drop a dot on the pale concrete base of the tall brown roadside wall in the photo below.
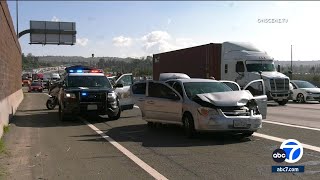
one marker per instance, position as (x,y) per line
(8,107)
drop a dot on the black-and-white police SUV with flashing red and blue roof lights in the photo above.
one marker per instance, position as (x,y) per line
(84,89)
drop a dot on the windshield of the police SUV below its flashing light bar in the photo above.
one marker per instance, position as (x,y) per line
(88,81)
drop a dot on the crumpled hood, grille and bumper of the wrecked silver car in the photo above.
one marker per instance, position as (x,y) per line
(228,111)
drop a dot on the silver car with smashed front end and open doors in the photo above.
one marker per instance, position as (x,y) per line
(202,104)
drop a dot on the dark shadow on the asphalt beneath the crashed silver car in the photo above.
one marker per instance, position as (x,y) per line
(166,136)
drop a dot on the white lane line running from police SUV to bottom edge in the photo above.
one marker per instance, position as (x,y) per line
(126,152)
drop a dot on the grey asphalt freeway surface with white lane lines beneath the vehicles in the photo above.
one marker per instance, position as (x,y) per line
(39,146)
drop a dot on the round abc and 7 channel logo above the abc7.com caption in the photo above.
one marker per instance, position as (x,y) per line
(290,151)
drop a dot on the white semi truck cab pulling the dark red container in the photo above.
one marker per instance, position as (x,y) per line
(242,63)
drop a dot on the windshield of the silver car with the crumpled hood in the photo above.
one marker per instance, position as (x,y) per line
(194,88)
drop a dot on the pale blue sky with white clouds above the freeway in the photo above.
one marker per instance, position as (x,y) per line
(134,29)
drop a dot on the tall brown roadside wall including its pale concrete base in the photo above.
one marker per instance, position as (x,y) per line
(10,67)
